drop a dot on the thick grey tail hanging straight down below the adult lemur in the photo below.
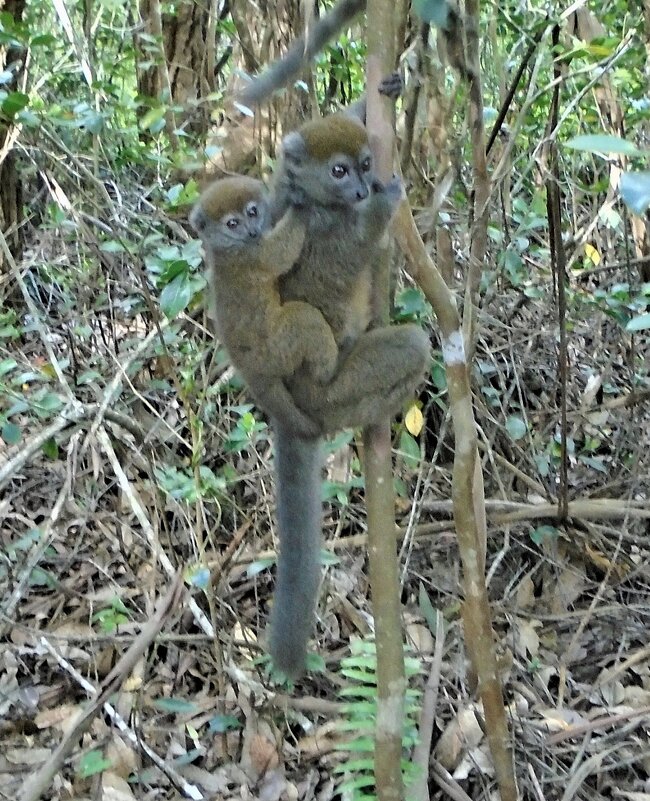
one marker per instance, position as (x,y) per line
(299,514)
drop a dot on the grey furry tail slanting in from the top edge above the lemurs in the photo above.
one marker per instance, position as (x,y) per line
(286,69)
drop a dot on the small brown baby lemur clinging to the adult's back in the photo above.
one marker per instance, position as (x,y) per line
(267,340)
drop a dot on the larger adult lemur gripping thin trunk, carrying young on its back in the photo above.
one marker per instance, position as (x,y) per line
(325,175)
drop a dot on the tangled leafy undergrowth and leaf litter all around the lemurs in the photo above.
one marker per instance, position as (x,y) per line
(130,450)
